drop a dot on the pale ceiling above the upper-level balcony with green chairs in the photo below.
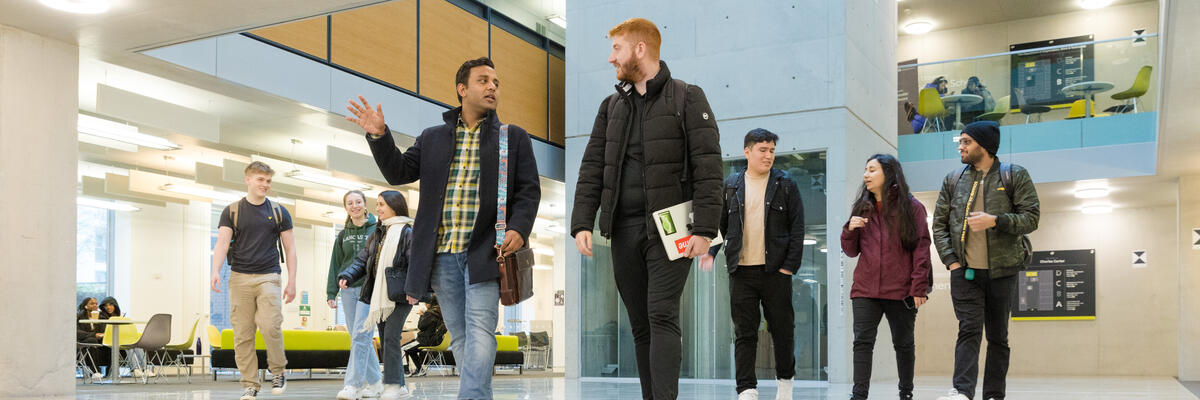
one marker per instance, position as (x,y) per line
(959,14)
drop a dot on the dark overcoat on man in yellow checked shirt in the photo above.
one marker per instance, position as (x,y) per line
(429,160)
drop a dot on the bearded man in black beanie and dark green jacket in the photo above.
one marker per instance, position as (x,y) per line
(983,214)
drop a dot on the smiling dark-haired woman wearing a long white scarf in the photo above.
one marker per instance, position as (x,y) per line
(383,264)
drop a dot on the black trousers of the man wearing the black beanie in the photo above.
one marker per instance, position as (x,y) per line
(982,306)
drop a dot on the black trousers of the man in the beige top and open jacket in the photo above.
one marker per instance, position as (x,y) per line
(751,288)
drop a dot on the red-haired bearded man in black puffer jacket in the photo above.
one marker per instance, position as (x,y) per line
(653,146)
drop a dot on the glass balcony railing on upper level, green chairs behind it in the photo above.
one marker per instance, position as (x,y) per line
(1033,86)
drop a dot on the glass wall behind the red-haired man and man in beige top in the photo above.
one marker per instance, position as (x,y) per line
(608,343)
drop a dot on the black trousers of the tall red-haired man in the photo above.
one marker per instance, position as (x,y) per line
(651,286)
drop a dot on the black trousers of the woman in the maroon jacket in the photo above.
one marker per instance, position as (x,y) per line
(868,314)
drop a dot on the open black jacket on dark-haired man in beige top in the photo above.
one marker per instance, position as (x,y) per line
(784,222)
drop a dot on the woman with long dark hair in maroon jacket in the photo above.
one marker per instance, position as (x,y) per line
(891,240)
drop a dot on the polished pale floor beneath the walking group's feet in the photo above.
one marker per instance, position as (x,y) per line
(536,387)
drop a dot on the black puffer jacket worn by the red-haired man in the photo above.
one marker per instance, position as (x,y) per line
(663,140)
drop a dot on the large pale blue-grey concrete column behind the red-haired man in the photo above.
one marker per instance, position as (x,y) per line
(821,75)
